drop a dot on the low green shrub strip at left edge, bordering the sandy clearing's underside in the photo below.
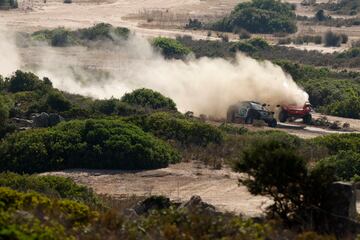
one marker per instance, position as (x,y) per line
(52,186)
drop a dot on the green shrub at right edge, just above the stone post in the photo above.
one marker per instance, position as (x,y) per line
(346,164)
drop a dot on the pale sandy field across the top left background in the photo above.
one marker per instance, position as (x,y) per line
(86,13)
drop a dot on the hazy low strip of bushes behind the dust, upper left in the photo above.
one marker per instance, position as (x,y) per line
(61,37)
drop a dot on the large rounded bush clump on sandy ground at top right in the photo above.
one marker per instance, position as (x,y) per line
(260,16)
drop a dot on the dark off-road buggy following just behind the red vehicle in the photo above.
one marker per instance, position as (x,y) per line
(248,111)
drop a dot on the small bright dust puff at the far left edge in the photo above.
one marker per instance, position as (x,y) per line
(9,57)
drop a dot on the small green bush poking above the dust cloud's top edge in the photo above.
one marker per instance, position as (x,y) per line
(171,48)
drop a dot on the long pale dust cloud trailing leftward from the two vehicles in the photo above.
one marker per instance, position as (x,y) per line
(204,85)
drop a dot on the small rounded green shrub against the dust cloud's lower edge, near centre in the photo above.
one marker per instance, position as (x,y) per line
(148,98)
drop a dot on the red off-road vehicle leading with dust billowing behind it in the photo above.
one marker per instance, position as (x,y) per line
(296,112)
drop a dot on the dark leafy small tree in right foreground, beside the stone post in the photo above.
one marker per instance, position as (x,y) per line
(274,169)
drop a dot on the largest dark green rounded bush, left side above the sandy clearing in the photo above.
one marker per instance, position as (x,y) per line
(84,144)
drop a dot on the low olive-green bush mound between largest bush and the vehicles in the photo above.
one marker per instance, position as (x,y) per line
(185,131)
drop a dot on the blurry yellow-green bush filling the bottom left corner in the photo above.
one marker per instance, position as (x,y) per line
(34,216)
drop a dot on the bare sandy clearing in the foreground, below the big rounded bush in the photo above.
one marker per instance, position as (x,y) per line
(179,182)
